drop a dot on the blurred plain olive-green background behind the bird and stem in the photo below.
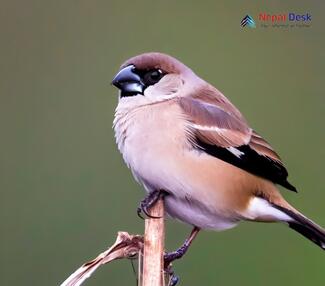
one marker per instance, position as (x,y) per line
(65,190)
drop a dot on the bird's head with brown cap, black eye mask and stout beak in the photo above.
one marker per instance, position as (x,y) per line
(153,75)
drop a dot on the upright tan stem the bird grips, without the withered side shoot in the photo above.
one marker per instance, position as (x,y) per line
(154,244)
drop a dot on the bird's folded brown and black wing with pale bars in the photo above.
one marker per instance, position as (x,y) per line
(218,128)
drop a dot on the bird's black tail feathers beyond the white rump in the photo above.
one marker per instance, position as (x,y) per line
(305,226)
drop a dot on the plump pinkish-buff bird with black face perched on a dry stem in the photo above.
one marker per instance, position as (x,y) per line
(183,139)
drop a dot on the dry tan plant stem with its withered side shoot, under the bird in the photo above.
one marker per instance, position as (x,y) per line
(128,246)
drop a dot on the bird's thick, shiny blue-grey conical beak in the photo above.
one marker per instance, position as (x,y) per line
(128,81)
